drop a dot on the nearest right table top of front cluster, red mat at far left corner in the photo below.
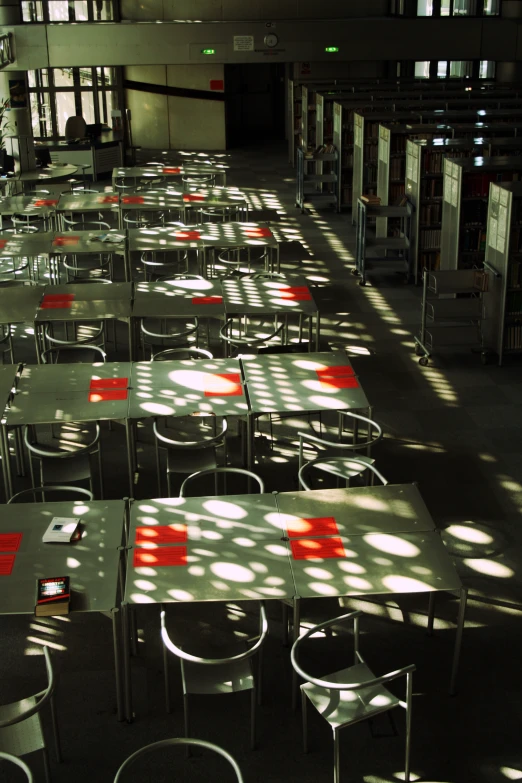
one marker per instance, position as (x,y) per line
(372,564)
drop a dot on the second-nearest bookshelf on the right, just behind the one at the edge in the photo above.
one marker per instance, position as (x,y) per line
(465,206)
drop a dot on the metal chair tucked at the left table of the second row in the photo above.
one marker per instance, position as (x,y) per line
(58,466)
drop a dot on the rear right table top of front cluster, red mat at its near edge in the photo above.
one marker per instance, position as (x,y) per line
(394,508)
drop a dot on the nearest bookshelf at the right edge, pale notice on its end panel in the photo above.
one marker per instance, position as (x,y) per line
(503,257)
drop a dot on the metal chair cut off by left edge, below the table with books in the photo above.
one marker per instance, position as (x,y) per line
(20,724)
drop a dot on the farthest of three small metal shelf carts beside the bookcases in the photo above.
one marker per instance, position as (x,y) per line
(316,187)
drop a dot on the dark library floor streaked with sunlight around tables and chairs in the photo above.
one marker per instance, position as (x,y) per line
(454,427)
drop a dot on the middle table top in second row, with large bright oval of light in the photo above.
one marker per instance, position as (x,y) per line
(183,388)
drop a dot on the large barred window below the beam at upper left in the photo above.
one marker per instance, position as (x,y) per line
(58,93)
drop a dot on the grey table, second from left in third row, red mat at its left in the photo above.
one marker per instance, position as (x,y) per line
(81,302)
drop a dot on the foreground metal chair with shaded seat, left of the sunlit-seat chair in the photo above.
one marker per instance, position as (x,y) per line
(229,674)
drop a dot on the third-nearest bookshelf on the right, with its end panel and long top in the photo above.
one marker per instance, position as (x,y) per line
(424,181)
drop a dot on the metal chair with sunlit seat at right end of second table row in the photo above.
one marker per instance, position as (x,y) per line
(332,459)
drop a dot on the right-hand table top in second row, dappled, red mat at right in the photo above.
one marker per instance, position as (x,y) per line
(302,382)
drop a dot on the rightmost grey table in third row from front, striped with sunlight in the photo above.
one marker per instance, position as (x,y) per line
(280,296)
